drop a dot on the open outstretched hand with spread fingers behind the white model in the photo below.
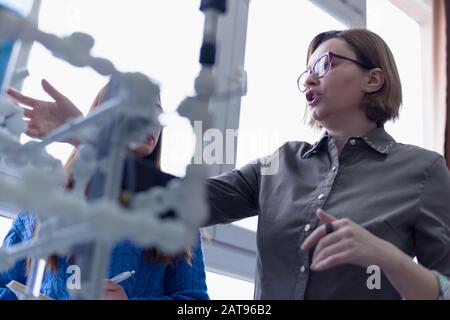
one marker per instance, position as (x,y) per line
(46,116)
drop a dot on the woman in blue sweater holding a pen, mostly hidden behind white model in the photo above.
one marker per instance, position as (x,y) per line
(157,276)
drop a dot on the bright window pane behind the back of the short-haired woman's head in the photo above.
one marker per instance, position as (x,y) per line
(382,15)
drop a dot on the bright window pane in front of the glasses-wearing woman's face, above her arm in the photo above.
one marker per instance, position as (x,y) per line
(272,112)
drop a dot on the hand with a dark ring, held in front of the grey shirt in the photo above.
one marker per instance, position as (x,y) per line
(348,243)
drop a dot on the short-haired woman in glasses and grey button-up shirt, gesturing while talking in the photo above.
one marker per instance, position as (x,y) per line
(344,217)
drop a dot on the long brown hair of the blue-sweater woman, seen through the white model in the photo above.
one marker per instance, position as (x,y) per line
(149,254)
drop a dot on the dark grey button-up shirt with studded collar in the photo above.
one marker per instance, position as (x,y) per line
(400,193)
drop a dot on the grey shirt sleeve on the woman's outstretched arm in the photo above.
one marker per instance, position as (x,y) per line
(234,196)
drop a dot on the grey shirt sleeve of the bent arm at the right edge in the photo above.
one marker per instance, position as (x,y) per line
(432,225)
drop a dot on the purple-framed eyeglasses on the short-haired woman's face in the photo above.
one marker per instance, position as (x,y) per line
(321,68)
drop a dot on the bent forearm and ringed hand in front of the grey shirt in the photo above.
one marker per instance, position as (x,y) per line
(350,243)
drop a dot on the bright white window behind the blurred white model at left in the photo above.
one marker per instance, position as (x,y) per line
(159,38)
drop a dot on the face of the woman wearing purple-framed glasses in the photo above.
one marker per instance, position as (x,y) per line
(340,92)
